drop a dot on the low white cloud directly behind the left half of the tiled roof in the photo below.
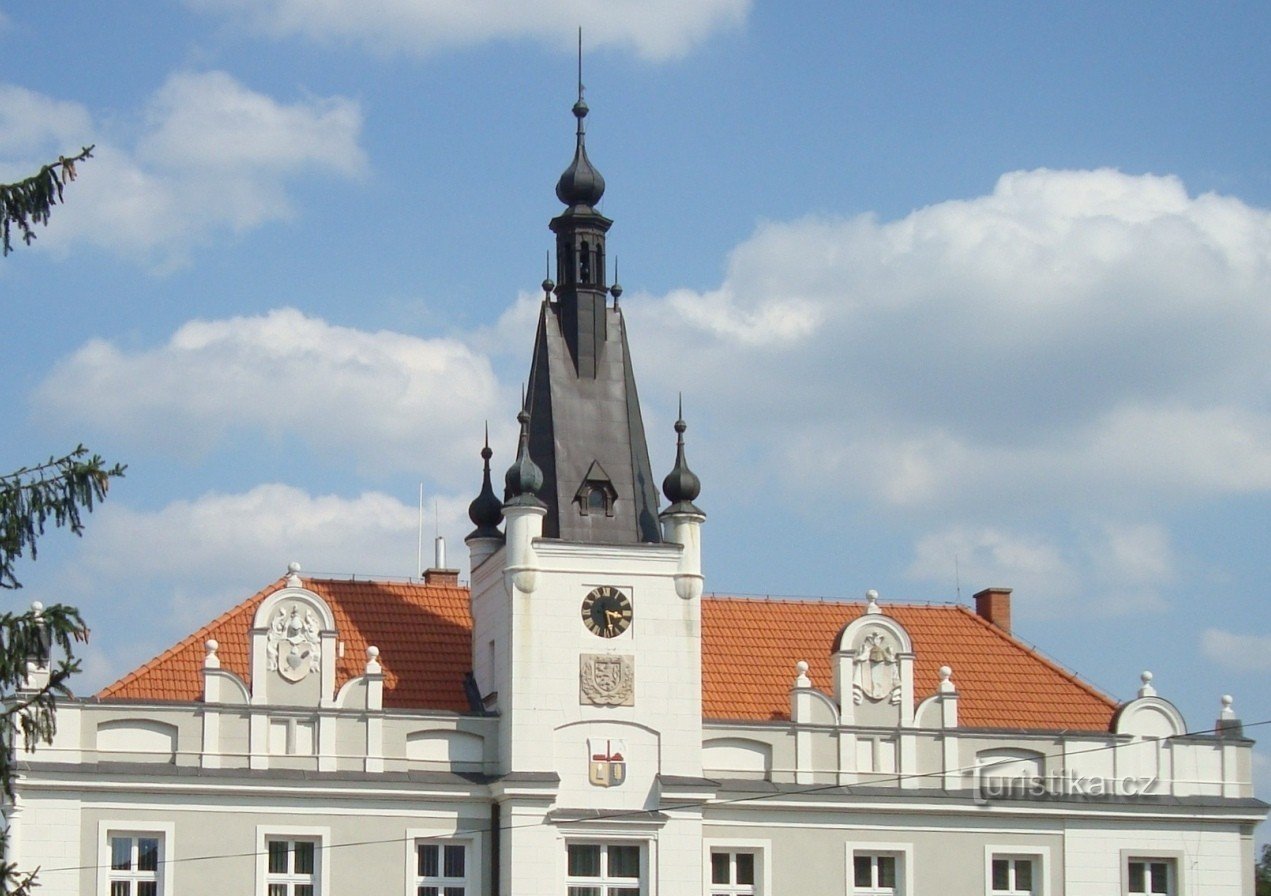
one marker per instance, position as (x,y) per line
(186,564)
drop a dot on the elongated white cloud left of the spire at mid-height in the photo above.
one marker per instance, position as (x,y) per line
(391,402)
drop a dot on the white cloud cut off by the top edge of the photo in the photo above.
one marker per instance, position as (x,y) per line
(658,30)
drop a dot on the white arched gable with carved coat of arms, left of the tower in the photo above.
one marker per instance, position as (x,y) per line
(294,648)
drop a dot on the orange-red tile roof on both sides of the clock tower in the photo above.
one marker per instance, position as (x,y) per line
(749,650)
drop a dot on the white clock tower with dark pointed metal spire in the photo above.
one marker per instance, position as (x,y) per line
(587,607)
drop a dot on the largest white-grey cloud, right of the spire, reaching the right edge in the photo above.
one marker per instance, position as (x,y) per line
(1089,340)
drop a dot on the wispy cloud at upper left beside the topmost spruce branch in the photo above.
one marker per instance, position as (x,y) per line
(210,156)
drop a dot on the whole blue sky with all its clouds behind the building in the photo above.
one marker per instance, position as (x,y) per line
(958,295)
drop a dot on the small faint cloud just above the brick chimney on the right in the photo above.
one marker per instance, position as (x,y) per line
(1103,570)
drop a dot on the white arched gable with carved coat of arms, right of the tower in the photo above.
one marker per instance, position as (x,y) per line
(874,662)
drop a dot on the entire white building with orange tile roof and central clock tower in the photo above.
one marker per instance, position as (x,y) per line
(583,720)
